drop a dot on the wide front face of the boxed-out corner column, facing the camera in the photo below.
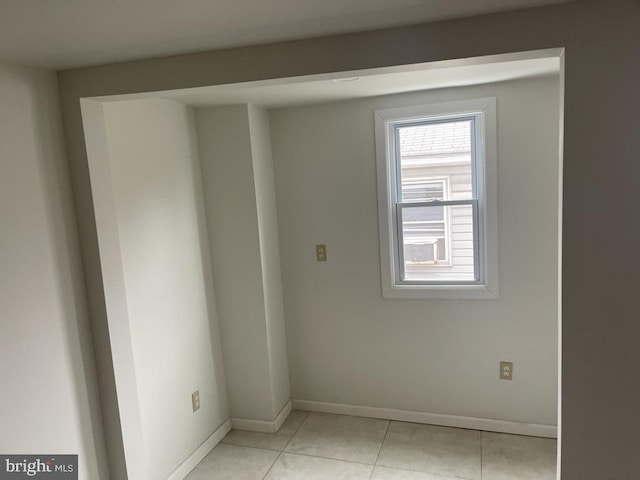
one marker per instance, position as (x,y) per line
(227,173)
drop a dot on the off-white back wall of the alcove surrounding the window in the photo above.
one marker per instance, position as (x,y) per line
(349,345)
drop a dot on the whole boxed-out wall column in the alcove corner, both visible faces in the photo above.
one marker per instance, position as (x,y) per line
(240,202)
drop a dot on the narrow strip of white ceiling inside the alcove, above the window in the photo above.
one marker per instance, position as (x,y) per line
(322,88)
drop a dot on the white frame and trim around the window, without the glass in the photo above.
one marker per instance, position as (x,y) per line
(483,110)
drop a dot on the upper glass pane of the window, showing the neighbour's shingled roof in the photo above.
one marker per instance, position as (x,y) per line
(435,161)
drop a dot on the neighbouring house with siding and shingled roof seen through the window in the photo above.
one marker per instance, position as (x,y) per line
(434,167)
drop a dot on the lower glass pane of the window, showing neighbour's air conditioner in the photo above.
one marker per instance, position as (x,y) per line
(438,243)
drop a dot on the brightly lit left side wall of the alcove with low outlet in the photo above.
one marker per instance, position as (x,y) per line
(157,195)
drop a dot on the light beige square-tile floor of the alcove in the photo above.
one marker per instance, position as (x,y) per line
(319,446)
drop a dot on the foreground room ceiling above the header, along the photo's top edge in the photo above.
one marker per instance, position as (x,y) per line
(62,34)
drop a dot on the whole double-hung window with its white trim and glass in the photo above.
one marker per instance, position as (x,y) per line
(438,200)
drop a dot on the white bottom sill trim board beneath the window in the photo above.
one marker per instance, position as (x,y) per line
(425,292)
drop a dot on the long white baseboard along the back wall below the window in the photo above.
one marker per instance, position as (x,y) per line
(473,423)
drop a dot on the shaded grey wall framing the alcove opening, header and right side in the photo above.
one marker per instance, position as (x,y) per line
(600,335)
